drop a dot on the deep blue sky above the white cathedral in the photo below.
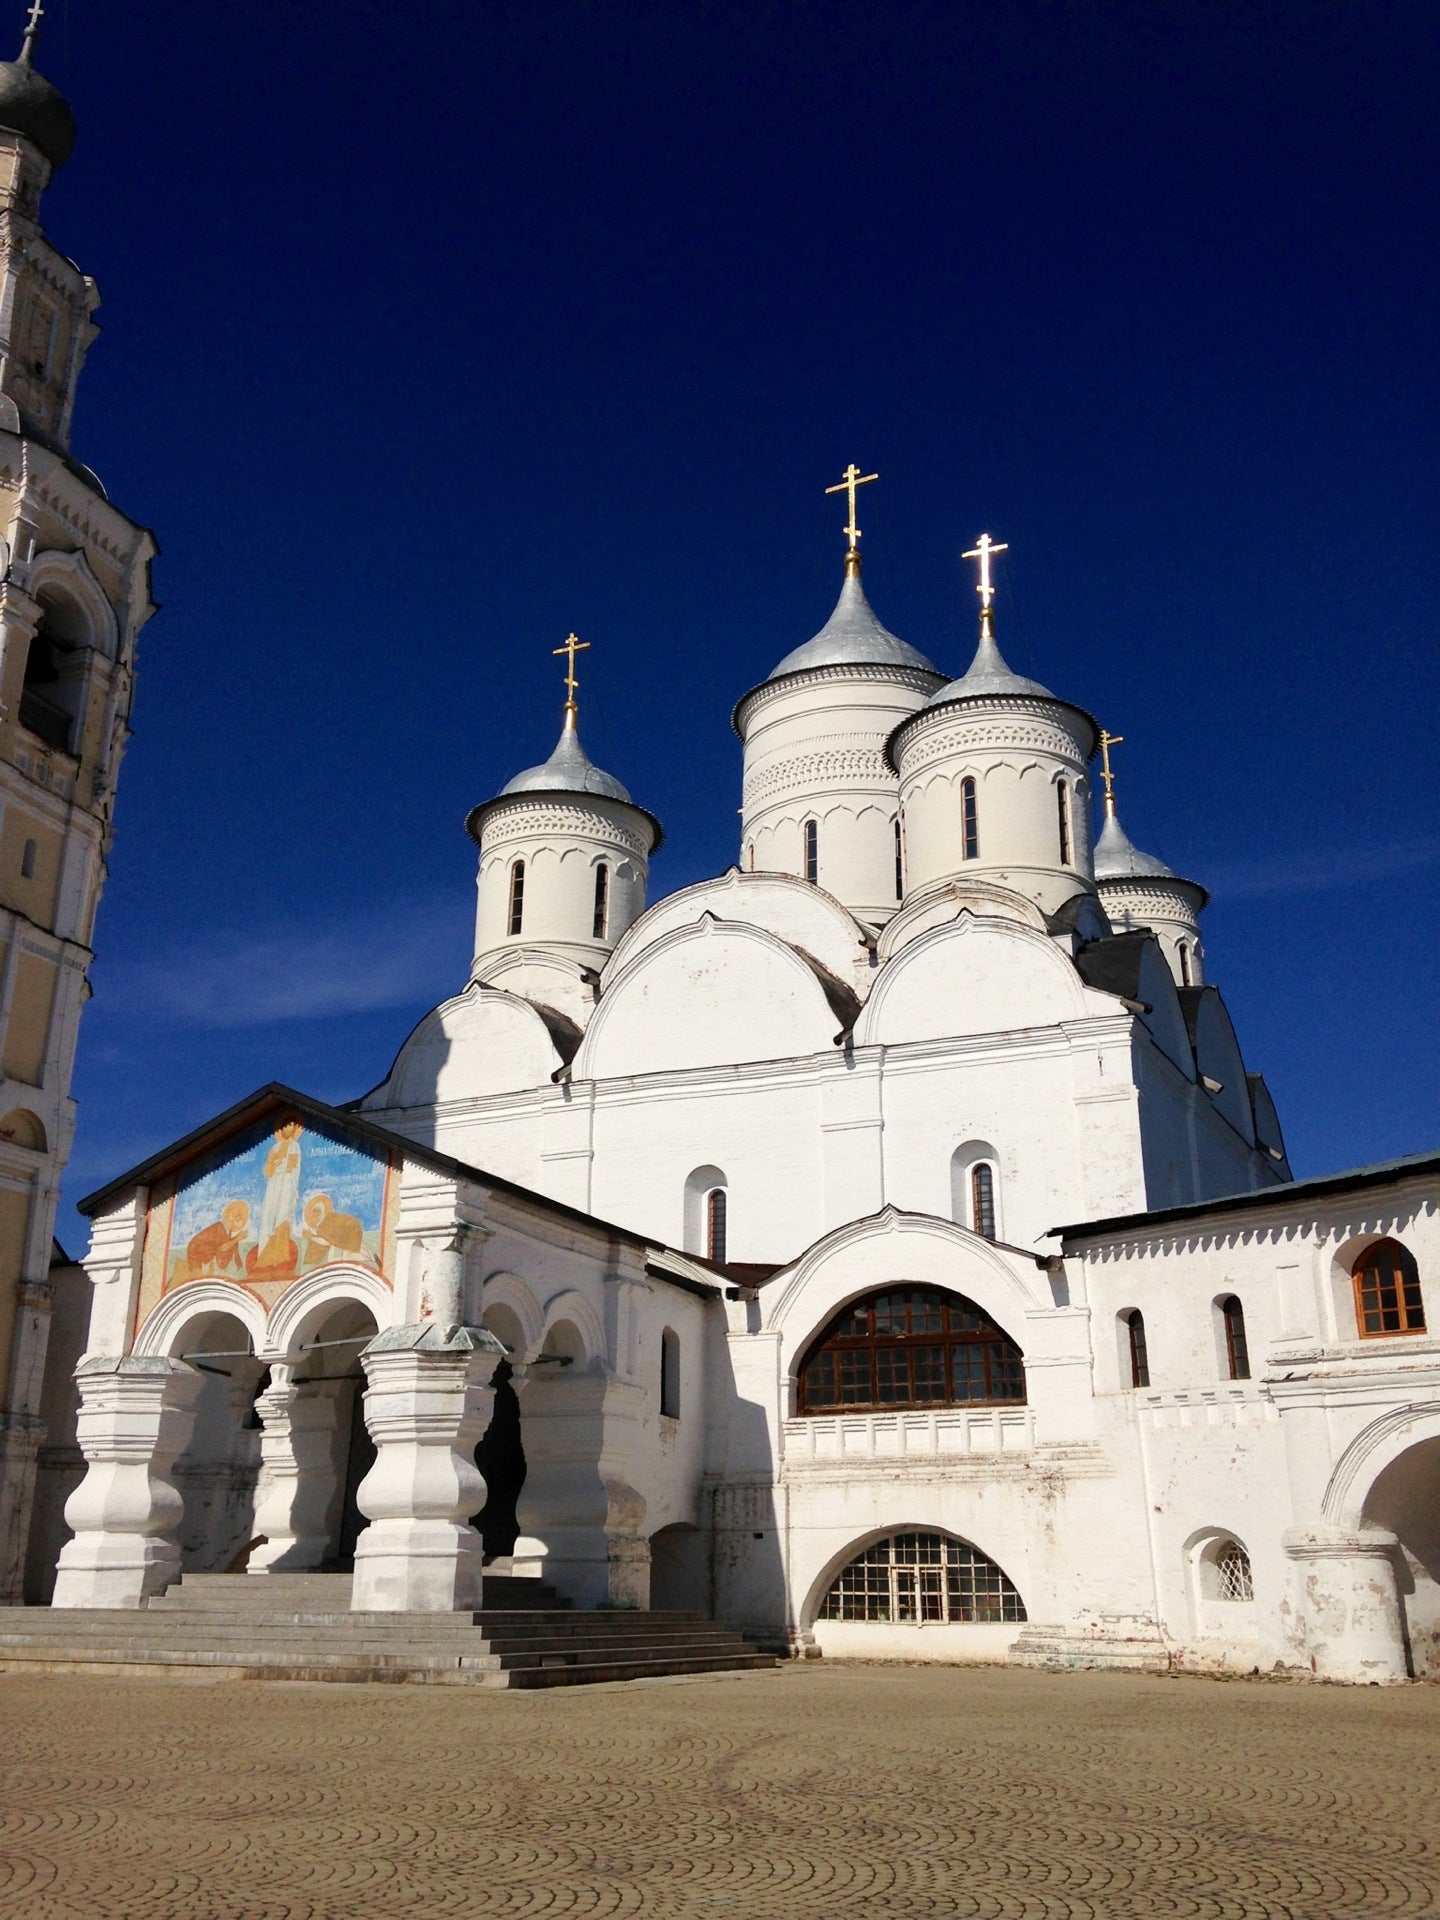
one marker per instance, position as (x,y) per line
(437,331)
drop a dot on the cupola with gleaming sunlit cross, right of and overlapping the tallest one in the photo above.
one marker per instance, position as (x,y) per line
(994,777)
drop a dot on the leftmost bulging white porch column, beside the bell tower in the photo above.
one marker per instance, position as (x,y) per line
(135,1420)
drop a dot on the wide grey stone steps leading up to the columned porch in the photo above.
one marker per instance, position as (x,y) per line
(299,1627)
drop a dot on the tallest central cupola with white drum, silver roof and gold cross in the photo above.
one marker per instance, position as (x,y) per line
(821,800)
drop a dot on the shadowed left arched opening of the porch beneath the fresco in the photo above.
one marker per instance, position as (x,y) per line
(218,1472)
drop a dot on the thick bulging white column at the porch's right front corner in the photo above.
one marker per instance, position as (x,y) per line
(427,1404)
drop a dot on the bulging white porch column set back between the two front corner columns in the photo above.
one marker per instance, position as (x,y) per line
(295,1499)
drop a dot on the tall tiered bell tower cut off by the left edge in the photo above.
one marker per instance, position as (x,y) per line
(74,596)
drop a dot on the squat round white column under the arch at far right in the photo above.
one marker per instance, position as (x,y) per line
(1347,1608)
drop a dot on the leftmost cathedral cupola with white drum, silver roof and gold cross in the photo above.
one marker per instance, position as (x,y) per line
(564,855)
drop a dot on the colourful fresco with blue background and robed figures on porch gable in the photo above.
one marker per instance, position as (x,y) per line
(270,1209)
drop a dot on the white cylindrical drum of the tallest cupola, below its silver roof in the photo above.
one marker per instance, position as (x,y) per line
(815,754)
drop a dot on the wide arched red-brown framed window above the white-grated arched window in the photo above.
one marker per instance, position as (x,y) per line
(1001,1360)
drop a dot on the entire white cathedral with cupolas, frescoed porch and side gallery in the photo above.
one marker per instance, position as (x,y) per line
(882,1247)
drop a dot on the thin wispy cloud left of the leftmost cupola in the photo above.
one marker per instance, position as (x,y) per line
(398,955)
